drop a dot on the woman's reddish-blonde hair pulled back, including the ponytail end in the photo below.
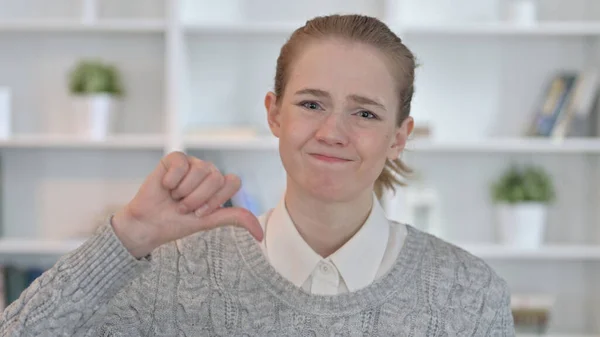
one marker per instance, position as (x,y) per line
(373,32)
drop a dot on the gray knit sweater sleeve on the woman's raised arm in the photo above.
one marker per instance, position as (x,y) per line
(71,298)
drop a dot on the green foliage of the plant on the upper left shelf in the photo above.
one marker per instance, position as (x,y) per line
(95,77)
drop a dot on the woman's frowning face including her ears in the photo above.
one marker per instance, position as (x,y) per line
(336,120)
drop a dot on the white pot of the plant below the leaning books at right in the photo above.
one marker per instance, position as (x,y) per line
(521,225)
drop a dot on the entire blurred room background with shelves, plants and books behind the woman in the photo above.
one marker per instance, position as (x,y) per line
(506,156)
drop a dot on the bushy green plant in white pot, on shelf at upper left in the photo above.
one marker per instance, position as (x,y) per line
(95,87)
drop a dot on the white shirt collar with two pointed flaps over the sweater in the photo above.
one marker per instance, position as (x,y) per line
(357,261)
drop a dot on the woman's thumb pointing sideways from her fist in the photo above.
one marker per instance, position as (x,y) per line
(234,216)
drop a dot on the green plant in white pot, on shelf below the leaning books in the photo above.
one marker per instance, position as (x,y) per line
(522,197)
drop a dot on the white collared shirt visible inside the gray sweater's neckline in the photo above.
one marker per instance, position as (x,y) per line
(368,255)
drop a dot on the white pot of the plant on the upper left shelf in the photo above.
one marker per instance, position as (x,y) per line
(94,115)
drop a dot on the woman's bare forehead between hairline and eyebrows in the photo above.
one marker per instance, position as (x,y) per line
(343,68)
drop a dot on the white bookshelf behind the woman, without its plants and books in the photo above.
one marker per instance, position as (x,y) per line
(478,84)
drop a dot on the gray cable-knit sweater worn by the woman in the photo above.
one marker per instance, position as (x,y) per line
(219,283)
